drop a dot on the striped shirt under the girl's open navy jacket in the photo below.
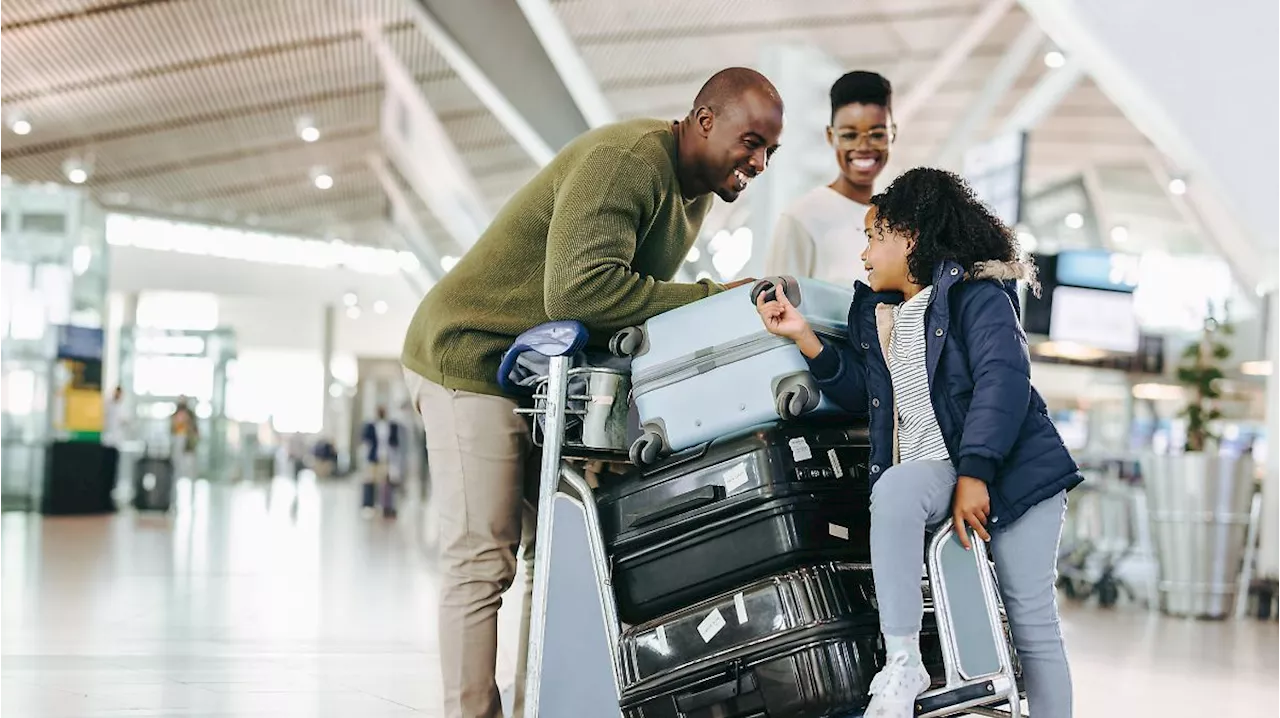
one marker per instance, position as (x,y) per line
(918,435)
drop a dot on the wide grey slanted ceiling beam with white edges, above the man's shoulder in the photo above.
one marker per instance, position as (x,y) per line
(541,99)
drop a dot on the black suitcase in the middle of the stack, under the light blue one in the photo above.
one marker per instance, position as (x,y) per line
(734,511)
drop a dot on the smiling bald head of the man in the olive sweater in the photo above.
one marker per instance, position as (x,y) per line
(732,134)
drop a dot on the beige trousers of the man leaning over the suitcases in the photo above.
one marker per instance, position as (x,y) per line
(481,458)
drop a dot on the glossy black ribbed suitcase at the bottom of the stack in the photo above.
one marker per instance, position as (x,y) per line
(803,643)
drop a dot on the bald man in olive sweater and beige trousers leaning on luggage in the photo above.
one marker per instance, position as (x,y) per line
(596,236)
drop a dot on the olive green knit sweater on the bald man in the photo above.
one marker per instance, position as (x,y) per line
(596,237)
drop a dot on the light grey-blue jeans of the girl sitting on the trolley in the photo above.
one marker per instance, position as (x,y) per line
(913,496)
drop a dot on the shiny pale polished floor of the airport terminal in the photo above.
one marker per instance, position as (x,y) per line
(278,600)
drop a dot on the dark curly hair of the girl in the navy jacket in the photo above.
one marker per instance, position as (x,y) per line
(949,222)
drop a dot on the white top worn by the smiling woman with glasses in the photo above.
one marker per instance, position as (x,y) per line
(821,236)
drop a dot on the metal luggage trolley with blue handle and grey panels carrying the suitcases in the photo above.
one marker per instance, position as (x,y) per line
(574,664)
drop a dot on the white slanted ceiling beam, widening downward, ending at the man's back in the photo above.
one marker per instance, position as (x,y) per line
(423,152)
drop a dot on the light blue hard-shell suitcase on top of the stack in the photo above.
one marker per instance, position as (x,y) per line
(711,369)
